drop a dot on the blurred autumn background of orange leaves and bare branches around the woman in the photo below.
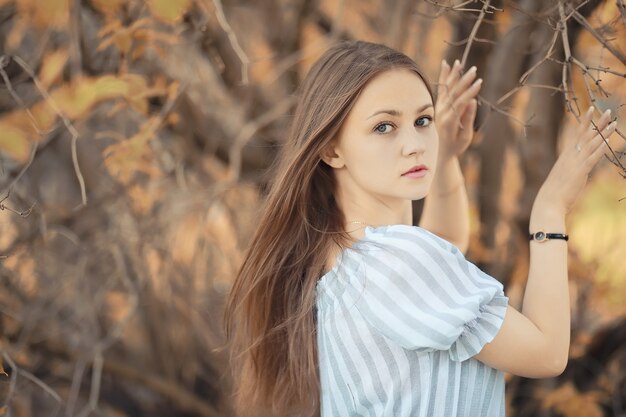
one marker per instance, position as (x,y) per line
(135,141)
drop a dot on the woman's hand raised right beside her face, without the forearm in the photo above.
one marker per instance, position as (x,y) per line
(455,109)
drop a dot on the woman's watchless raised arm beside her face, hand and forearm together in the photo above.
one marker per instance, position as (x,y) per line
(445,208)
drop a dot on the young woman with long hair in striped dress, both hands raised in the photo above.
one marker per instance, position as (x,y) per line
(341,306)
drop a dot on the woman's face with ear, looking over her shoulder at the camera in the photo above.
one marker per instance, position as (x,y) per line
(389,131)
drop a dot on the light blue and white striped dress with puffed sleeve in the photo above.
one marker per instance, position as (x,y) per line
(399,318)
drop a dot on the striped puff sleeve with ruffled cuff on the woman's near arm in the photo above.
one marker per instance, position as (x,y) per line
(419,291)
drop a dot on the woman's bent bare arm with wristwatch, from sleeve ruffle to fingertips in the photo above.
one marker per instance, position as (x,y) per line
(535,343)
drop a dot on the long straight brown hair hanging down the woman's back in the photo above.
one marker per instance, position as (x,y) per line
(270,316)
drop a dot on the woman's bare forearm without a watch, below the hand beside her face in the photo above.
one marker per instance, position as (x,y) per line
(446,210)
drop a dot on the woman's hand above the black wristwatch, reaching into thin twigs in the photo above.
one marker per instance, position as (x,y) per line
(568,176)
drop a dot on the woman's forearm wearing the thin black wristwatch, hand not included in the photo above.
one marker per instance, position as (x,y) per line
(546,299)
